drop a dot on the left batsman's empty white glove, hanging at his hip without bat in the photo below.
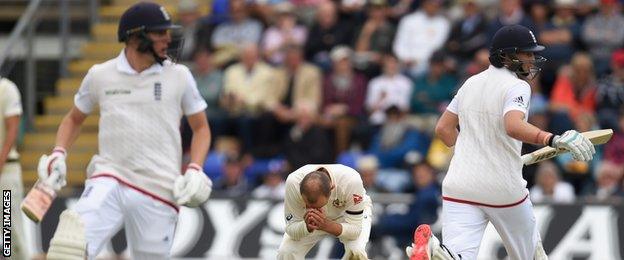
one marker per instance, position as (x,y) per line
(193,188)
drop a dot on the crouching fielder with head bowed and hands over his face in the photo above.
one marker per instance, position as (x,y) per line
(323,200)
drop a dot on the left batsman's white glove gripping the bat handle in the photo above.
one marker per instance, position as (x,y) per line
(52,169)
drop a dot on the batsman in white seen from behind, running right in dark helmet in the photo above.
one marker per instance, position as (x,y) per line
(484,181)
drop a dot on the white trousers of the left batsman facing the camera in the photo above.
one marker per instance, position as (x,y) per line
(106,205)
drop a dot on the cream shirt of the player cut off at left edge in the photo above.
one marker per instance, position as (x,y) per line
(10,105)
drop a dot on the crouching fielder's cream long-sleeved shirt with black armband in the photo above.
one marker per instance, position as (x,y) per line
(347,200)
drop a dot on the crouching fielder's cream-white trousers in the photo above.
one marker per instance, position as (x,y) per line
(296,250)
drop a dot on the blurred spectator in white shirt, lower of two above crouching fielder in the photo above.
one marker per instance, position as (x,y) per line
(389,89)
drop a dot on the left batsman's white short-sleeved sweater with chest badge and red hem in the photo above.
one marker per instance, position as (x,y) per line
(139,128)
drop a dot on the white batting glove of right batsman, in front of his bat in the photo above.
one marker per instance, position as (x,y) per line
(581,148)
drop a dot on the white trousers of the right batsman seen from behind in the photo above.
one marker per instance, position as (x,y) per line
(463,226)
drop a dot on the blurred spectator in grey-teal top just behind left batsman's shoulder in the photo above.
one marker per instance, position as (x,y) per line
(210,85)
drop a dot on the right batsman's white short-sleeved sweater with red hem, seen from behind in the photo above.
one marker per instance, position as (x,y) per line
(486,167)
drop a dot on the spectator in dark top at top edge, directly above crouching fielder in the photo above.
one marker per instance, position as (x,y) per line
(326,32)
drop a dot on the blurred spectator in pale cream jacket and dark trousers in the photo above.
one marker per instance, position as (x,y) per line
(248,93)
